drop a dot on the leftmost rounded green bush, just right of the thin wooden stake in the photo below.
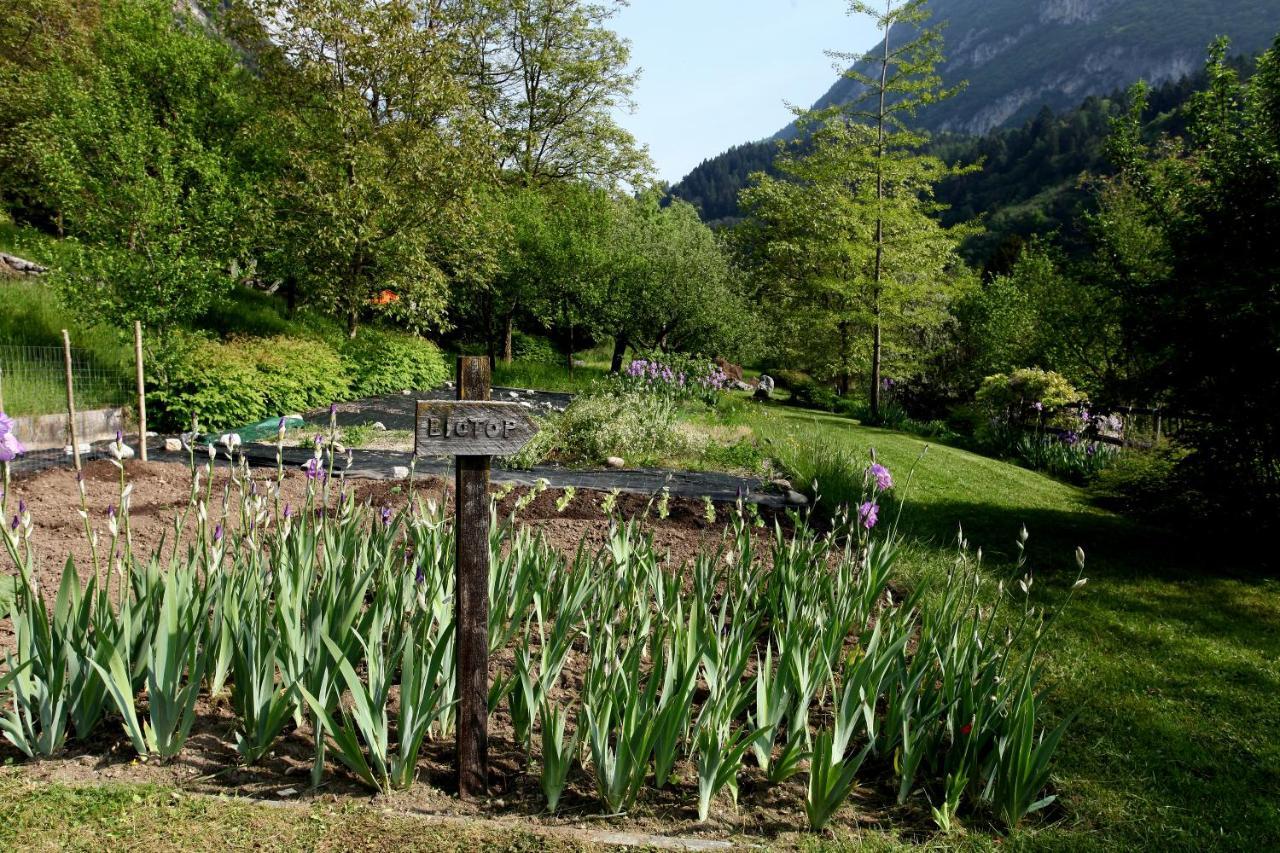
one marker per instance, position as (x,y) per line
(191,376)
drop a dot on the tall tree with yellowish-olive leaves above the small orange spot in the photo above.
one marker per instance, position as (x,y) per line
(382,152)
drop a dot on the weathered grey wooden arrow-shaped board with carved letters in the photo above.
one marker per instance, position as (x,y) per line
(472,428)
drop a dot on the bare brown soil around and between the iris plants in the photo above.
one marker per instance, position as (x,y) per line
(209,763)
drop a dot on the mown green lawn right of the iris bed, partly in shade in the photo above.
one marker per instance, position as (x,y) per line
(1171,656)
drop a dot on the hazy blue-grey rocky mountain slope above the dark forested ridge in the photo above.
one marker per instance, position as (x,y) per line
(1020,56)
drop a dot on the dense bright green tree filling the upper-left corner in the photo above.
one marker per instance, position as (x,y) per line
(127,129)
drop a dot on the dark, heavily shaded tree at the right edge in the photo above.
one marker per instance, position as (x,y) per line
(1191,235)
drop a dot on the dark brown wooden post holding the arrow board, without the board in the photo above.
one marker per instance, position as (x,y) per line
(472,597)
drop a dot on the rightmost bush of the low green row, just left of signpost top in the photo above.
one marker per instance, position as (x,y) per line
(382,362)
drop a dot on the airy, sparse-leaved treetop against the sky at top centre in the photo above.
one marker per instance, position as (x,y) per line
(551,76)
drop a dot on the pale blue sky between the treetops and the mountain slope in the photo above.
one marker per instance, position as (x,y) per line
(716,74)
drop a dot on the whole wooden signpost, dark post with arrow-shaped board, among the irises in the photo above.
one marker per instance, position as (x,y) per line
(472,430)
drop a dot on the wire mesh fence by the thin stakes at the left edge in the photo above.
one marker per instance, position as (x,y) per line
(34,393)
